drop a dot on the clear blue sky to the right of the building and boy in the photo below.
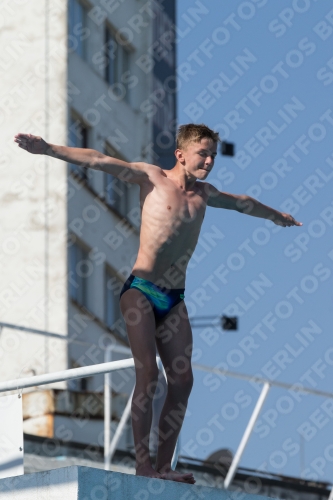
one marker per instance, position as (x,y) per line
(261,73)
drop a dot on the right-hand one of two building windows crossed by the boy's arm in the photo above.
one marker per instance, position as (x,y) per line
(116,190)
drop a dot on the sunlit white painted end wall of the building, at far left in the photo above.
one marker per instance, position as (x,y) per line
(23,262)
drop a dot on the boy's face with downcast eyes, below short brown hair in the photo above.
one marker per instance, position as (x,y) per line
(198,157)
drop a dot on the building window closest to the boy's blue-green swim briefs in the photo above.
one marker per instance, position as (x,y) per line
(113,286)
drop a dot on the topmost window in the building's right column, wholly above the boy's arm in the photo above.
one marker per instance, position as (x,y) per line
(117,64)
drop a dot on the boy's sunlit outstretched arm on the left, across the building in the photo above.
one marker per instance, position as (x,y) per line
(130,172)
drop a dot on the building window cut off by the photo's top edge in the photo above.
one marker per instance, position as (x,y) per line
(77,28)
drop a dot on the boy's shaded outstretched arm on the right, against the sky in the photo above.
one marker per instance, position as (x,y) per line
(247,205)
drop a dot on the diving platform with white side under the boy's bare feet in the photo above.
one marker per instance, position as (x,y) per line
(83,483)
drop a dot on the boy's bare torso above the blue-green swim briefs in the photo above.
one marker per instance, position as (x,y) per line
(170,227)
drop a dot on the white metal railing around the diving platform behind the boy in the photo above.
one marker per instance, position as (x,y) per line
(110,366)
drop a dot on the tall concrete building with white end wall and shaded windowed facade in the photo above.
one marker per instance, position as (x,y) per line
(86,74)
